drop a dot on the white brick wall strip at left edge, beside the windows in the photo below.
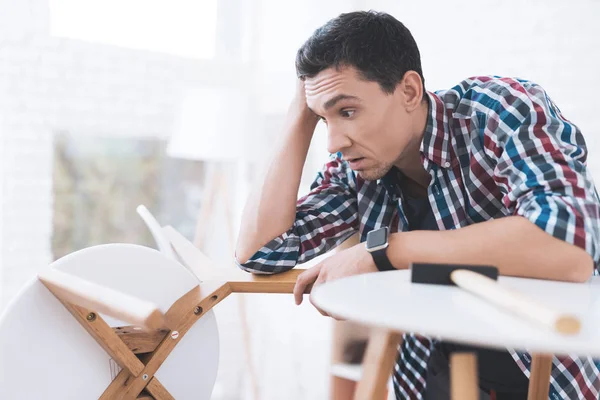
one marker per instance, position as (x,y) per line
(26,185)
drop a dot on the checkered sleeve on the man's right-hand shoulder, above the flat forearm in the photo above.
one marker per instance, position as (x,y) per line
(542,168)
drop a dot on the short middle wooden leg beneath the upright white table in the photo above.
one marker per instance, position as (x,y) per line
(464,382)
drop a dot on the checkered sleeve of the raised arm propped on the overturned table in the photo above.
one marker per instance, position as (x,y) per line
(325,217)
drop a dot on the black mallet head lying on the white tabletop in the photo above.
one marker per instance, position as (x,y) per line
(439,274)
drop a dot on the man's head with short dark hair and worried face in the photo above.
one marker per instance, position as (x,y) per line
(362,74)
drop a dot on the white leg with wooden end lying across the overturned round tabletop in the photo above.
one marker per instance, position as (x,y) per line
(102,299)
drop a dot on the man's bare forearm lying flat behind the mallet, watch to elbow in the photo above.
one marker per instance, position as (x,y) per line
(513,244)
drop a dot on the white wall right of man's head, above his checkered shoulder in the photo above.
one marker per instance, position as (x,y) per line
(551,42)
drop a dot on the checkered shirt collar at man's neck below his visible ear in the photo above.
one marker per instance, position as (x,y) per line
(436,139)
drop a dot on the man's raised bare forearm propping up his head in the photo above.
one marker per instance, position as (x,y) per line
(271,207)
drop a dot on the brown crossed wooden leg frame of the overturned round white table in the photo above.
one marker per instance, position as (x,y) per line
(141,348)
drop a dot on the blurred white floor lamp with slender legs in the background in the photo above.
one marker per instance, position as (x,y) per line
(209,127)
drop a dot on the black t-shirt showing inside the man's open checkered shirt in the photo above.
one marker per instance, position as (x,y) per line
(497,369)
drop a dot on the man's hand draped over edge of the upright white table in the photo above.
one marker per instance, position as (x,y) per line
(352,261)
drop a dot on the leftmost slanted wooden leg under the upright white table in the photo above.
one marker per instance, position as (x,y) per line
(378,364)
